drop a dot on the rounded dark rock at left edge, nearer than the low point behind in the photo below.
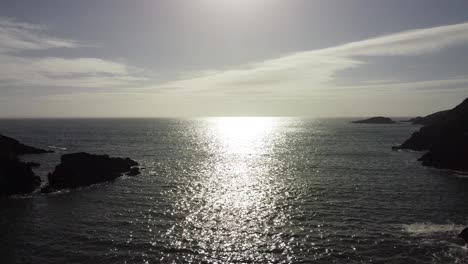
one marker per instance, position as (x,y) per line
(16,177)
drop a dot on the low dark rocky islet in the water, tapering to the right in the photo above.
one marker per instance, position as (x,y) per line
(83,169)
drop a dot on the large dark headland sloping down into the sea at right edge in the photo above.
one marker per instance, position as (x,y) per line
(445,140)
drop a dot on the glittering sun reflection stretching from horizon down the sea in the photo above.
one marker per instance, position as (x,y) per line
(236,197)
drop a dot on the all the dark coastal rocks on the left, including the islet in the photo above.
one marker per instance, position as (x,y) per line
(75,170)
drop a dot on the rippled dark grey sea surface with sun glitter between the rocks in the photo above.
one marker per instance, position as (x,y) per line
(237,190)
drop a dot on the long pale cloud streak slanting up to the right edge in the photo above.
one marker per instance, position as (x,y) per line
(305,72)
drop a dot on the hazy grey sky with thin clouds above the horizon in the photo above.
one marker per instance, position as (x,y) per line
(179,58)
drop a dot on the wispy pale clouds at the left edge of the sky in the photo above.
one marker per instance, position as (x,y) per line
(18,69)
